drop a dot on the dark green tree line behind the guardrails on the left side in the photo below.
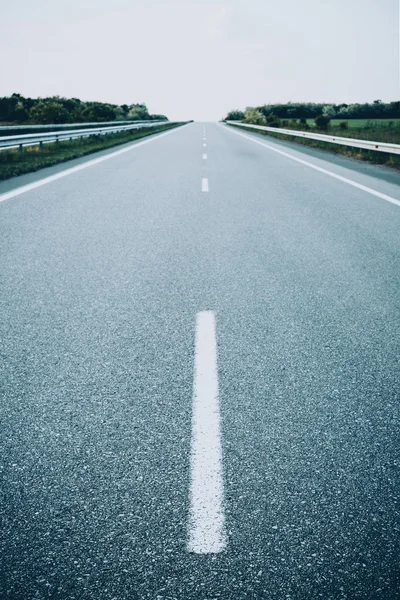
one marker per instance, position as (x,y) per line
(16,109)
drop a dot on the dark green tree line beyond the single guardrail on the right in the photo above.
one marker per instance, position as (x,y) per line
(311,110)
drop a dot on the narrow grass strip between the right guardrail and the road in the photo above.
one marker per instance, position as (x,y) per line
(379,158)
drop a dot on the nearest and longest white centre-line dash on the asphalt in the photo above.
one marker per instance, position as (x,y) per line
(206,518)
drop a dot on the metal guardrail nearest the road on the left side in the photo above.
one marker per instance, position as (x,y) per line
(31,139)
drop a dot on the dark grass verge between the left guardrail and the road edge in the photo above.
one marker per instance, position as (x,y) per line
(32,158)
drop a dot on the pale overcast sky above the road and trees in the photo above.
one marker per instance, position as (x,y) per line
(198,59)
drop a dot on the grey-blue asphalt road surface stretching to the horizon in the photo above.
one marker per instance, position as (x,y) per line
(103,274)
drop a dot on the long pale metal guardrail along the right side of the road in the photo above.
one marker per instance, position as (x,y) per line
(333,139)
